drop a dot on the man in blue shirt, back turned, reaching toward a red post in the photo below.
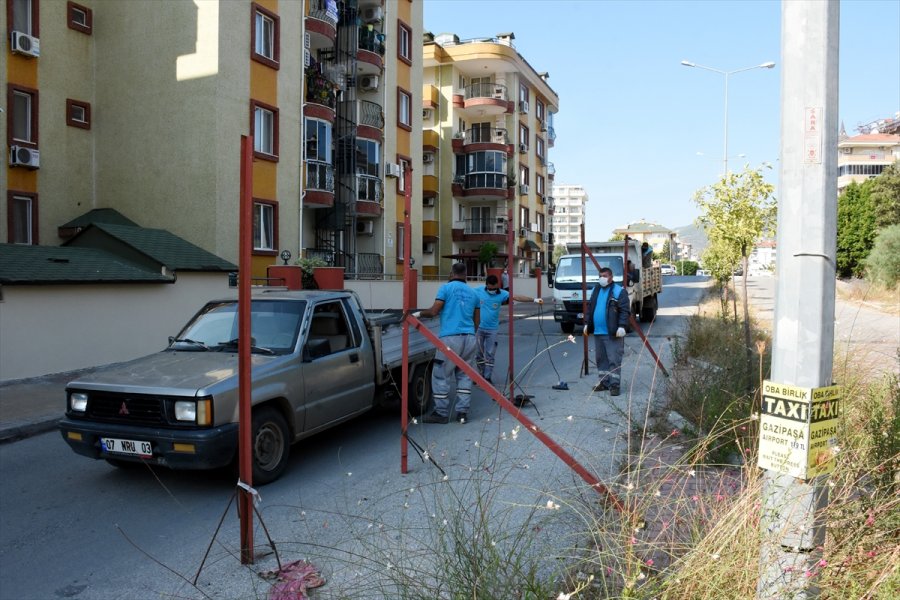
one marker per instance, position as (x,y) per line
(458,307)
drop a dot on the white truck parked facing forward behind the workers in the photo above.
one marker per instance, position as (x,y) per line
(567,295)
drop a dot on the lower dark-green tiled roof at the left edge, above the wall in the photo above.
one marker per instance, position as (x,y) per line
(22,264)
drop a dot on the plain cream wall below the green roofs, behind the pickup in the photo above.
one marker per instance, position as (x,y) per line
(55,328)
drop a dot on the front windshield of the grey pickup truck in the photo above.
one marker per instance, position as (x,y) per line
(274,326)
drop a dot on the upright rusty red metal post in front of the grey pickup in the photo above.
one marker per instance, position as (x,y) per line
(245,418)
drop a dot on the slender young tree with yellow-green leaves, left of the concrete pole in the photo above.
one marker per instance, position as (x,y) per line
(735,212)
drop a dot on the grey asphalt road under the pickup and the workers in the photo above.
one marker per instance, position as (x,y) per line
(75,528)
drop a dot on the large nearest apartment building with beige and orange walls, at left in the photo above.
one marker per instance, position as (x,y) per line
(105,111)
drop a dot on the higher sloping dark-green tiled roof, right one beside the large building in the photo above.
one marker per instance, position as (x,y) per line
(162,246)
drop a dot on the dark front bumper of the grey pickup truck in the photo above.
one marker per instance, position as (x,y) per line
(175,448)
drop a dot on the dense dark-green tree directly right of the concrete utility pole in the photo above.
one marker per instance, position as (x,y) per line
(855,228)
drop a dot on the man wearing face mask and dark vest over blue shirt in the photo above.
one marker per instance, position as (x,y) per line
(606,318)
